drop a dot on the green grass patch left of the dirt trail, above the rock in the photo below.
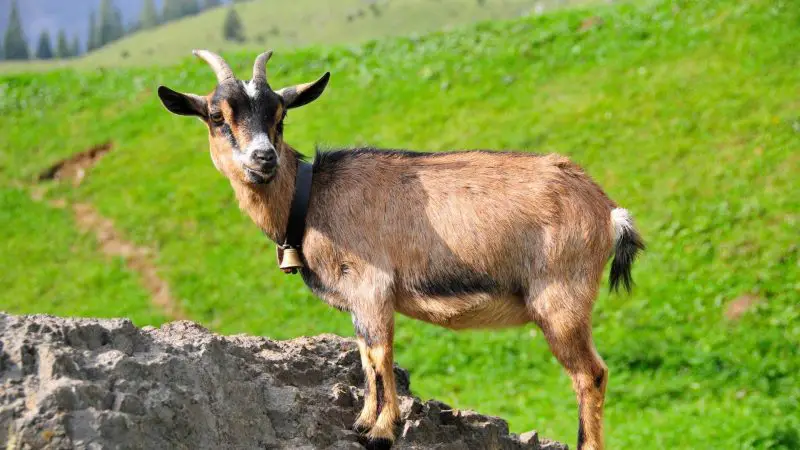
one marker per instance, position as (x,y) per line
(49,267)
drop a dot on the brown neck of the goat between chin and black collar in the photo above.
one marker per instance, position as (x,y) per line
(268,205)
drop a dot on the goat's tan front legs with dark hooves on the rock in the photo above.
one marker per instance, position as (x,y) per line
(375,334)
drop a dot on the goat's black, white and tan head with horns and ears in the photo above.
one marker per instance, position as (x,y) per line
(244,118)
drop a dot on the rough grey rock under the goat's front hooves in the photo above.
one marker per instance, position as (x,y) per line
(86,383)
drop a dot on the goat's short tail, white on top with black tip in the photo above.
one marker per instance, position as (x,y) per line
(627,244)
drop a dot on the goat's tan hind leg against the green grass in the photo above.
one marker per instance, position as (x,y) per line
(565,321)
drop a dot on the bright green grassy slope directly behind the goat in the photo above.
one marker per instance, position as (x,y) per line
(686,112)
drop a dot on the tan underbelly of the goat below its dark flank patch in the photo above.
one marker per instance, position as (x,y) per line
(467,311)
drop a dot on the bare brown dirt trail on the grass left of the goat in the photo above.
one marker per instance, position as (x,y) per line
(112,243)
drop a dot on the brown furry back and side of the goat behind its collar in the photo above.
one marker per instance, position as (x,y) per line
(487,219)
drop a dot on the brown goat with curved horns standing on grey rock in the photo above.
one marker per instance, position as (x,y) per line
(461,239)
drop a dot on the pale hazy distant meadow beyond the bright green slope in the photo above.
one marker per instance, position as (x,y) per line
(277,24)
